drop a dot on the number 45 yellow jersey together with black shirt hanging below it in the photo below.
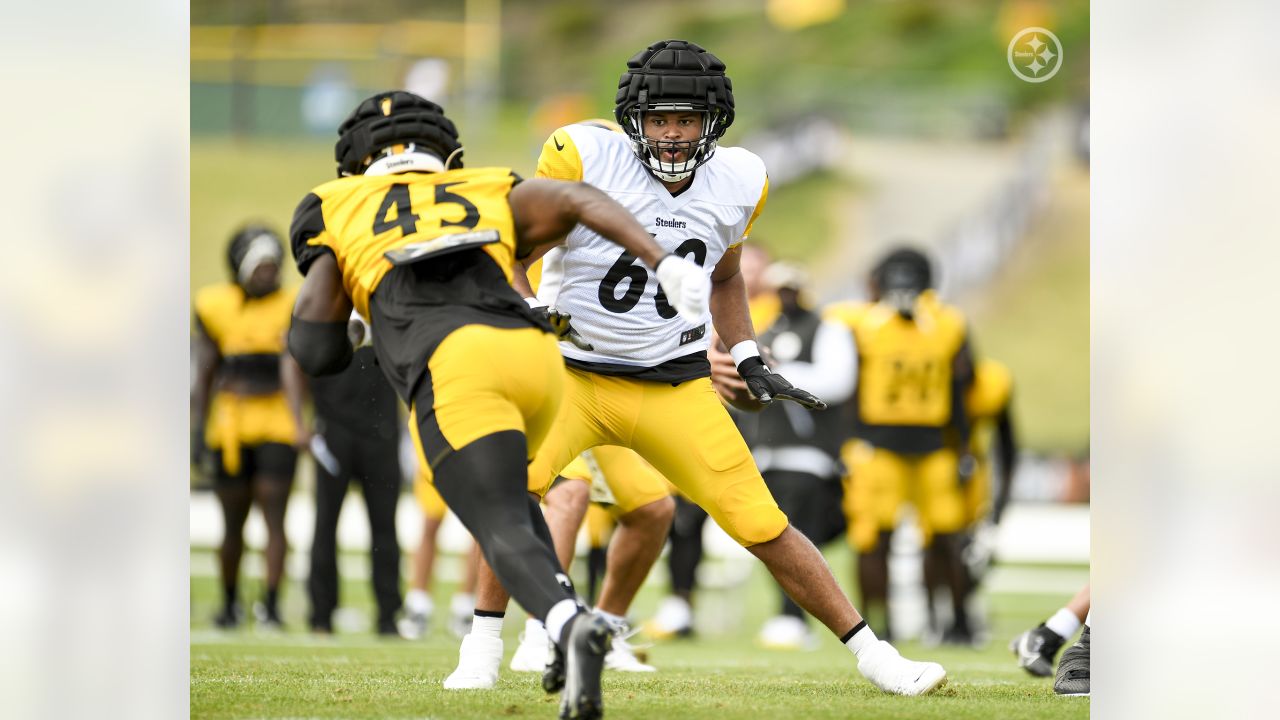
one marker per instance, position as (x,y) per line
(420,256)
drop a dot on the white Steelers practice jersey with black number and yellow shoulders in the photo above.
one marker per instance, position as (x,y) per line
(615,300)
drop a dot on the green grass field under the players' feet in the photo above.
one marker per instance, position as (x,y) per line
(353,676)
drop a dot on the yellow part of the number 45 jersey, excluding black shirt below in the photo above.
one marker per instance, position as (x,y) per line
(363,218)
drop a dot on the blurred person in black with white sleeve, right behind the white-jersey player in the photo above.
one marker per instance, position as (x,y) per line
(798,450)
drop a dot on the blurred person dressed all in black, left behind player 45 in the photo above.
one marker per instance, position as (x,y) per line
(356,439)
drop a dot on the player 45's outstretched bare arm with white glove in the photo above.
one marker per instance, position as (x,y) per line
(546,211)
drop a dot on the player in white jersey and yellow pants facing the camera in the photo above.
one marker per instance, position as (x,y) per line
(644,382)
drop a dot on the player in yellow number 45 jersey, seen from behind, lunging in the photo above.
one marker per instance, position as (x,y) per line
(424,249)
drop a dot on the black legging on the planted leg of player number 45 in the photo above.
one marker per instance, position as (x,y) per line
(486,484)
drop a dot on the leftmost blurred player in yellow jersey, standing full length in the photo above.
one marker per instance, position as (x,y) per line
(246,409)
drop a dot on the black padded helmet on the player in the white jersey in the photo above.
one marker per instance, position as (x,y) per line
(675,76)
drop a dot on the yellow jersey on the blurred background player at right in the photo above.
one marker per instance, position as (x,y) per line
(904,371)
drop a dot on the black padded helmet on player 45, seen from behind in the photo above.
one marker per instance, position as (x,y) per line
(396,122)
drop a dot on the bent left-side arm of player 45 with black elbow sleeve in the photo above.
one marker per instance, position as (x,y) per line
(318,335)
